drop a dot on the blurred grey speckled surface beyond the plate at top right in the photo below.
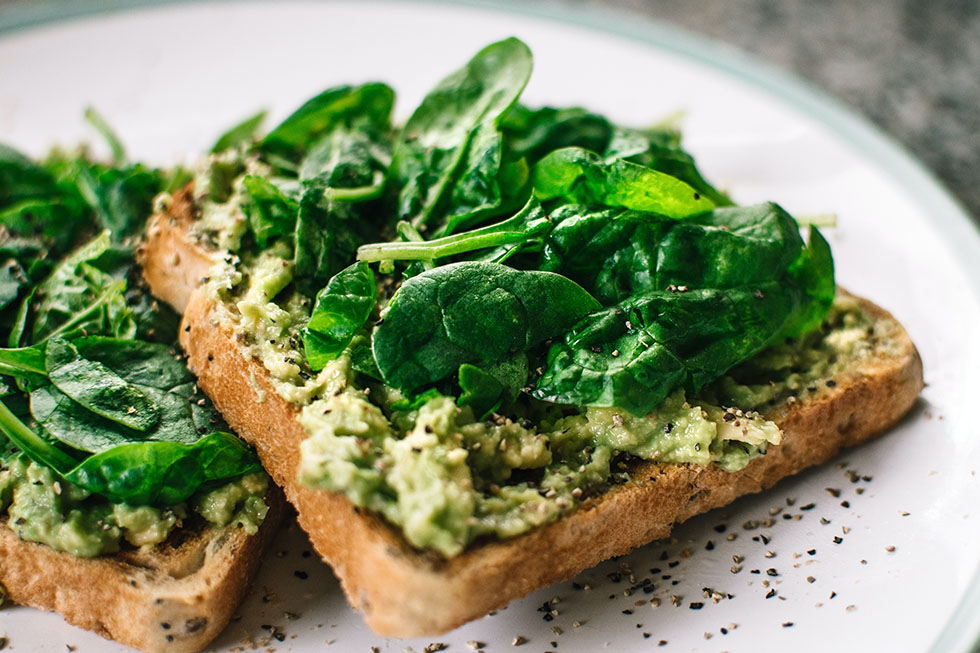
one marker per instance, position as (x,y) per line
(912,67)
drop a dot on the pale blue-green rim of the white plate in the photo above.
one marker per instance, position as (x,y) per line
(953,222)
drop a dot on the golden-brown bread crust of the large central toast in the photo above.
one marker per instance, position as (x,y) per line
(405,592)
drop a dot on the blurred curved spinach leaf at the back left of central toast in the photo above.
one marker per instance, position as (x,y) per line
(332,107)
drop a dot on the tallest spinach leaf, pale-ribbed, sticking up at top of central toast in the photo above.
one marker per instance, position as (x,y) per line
(452,137)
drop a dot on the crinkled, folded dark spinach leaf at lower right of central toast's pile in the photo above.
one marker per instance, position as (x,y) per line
(634,354)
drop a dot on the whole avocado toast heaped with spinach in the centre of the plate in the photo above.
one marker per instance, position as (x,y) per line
(493,346)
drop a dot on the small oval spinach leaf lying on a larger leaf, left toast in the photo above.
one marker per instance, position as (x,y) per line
(97,388)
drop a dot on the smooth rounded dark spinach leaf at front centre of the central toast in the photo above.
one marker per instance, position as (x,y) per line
(473,312)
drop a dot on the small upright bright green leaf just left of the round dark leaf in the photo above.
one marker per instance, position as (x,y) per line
(341,308)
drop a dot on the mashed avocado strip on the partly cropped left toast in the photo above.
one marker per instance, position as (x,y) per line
(41,508)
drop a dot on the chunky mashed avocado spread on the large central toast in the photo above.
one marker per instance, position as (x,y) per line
(446,477)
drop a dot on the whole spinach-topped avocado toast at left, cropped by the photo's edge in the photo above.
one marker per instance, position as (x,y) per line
(125,503)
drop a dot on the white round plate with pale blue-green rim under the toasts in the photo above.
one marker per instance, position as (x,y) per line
(170,78)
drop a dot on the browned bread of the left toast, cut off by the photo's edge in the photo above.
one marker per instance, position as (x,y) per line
(176,596)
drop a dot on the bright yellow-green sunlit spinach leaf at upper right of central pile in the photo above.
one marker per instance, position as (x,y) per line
(580,176)
